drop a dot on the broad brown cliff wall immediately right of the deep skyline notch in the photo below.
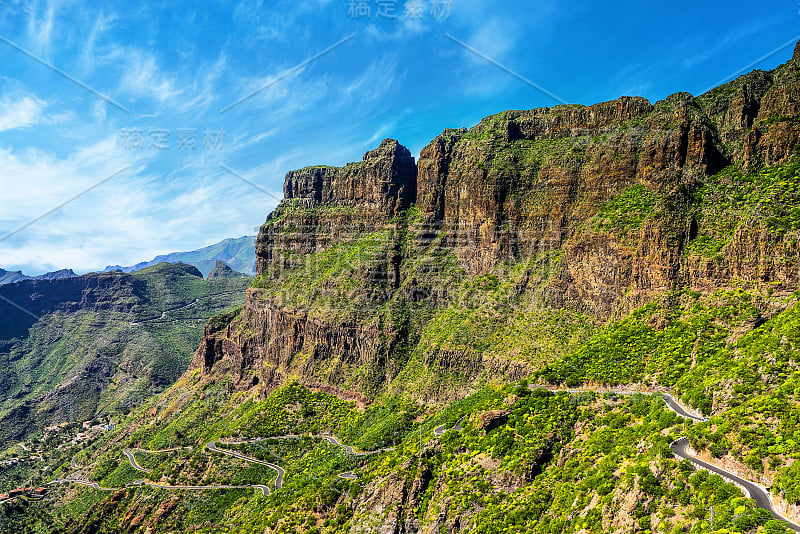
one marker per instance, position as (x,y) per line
(522,183)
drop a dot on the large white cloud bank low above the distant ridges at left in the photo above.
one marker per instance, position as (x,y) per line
(143,212)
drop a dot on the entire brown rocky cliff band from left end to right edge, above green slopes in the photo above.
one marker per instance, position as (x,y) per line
(601,208)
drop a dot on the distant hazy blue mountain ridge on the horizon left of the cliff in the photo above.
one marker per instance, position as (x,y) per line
(237,253)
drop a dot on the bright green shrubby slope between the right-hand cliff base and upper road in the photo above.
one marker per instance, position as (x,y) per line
(695,352)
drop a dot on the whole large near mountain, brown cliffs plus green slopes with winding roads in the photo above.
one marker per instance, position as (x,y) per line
(530,329)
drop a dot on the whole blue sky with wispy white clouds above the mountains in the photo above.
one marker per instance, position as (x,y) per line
(166,70)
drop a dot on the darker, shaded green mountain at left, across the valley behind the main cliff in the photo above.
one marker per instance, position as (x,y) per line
(73,347)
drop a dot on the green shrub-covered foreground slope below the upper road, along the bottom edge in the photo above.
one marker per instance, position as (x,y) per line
(527,460)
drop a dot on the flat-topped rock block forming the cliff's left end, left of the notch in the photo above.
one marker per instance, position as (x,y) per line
(278,335)
